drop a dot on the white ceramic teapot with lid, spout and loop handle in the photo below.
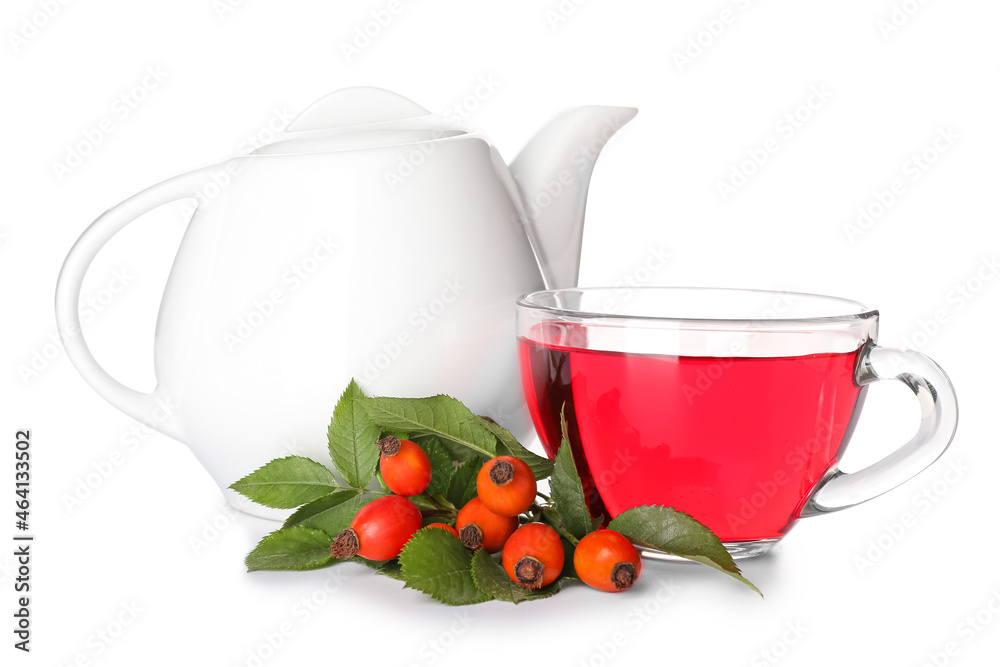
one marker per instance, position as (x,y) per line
(371,240)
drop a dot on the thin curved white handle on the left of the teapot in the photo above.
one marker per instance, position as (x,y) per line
(153,408)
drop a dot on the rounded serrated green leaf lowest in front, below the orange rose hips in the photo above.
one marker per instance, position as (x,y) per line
(436,563)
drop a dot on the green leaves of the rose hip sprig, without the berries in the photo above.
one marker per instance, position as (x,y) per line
(457,443)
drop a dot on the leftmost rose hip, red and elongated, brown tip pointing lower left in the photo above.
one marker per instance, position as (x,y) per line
(379,530)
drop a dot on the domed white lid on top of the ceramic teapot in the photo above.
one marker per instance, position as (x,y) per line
(360,117)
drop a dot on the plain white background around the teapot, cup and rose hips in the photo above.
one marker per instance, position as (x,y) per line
(855,586)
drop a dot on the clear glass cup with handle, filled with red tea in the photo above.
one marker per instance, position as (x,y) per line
(732,405)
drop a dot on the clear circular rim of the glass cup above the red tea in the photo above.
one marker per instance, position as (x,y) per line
(853,311)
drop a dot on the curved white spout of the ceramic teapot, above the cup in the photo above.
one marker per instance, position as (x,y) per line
(553,175)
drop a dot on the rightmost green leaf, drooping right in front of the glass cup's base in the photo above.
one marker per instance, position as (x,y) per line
(676,533)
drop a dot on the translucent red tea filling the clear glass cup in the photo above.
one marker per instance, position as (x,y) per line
(735,442)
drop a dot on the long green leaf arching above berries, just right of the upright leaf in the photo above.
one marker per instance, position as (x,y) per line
(441,416)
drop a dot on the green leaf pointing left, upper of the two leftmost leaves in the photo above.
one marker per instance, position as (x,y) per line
(287,483)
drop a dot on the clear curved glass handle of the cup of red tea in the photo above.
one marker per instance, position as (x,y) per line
(938,420)
